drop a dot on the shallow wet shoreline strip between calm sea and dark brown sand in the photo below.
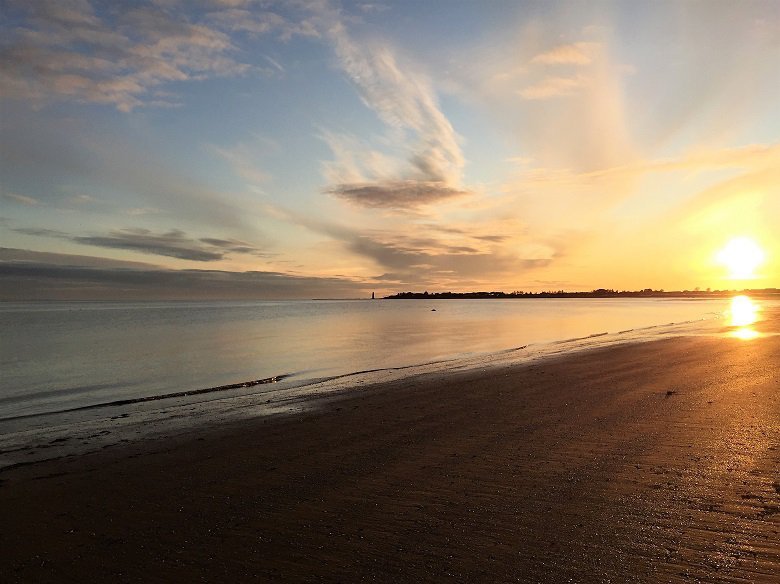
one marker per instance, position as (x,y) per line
(30,438)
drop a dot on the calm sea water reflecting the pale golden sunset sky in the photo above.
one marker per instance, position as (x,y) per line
(58,356)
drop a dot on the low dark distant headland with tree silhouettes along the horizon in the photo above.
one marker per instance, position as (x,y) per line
(598,293)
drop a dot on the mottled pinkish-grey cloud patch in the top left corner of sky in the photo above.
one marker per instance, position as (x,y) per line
(64,50)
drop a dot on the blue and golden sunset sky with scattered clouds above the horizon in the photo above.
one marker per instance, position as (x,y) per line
(324,149)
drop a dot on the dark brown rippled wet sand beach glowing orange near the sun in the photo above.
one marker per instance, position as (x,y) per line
(651,462)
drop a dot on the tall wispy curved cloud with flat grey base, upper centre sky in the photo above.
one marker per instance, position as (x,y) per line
(405,101)
